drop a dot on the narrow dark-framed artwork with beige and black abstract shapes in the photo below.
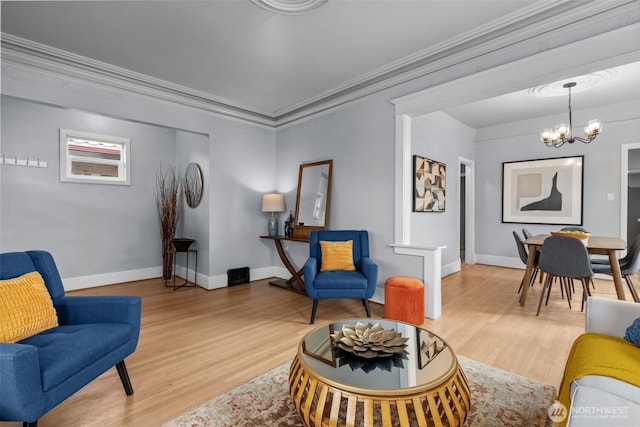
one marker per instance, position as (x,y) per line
(430,179)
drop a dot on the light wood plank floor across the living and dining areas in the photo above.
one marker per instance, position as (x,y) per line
(196,344)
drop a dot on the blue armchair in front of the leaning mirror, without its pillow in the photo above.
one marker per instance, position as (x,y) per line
(358,283)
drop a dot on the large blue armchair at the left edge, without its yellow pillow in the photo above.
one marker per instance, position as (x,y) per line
(94,334)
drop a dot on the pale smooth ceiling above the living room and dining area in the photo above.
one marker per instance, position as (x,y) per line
(237,54)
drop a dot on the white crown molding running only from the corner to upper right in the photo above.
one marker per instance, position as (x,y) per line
(542,27)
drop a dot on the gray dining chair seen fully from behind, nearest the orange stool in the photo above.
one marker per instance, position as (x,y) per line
(565,258)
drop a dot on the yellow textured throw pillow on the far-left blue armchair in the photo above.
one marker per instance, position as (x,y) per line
(26,308)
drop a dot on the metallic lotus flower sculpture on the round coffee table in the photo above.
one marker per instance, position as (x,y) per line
(369,341)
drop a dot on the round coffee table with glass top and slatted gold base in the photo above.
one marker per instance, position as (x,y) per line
(421,386)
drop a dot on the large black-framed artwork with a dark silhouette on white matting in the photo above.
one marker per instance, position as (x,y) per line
(545,191)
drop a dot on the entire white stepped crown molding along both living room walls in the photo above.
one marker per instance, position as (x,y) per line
(542,26)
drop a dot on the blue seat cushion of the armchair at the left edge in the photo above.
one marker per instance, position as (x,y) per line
(66,350)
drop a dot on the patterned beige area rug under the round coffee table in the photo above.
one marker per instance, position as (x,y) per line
(498,398)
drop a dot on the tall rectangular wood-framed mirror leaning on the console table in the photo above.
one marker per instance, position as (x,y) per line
(313,198)
